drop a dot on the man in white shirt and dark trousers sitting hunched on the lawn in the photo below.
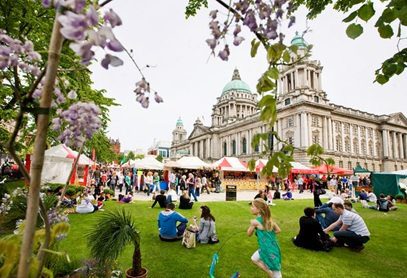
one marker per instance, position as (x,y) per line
(353,231)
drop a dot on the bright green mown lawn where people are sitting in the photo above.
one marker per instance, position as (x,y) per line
(384,255)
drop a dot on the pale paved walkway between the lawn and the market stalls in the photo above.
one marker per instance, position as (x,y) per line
(246,195)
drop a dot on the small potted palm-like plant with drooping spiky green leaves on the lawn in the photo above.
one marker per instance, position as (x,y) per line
(105,247)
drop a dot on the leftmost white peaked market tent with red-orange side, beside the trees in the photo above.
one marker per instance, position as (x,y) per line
(58,162)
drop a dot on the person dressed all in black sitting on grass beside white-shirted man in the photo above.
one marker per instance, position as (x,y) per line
(311,235)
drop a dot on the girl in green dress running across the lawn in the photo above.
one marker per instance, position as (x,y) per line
(268,256)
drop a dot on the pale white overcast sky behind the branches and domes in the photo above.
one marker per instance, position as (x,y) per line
(189,79)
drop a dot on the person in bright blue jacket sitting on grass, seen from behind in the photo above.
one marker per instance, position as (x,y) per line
(167,224)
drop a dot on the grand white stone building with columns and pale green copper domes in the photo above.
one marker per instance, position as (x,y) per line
(305,116)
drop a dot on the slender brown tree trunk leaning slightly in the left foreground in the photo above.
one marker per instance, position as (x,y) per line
(39,149)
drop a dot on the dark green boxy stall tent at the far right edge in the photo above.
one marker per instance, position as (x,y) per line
(386,183)
